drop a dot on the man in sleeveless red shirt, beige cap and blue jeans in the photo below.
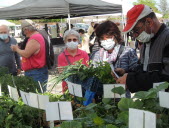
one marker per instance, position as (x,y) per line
(34,54)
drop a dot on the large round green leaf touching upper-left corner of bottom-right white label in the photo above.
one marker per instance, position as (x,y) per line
(125,103)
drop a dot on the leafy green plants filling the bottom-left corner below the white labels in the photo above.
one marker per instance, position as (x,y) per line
(18,115)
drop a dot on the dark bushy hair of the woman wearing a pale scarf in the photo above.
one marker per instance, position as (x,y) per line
(108,28)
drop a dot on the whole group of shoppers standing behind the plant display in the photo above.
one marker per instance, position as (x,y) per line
(103,42)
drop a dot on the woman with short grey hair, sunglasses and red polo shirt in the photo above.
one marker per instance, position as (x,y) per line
(71,53)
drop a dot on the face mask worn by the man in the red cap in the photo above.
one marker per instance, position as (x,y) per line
(145,37)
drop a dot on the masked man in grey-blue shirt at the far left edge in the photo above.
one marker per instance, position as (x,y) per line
(8,58)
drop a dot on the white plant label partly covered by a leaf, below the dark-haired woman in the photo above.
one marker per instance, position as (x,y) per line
(109,94)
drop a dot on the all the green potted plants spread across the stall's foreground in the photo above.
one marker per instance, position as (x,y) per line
(107,114)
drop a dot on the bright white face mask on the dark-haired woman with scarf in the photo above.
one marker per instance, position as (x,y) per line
(108,44)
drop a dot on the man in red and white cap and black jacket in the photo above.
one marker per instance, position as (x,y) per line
(145,27)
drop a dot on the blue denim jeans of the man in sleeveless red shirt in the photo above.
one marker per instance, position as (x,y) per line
(40,75)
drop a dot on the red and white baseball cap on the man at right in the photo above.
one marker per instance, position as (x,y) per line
(135,14)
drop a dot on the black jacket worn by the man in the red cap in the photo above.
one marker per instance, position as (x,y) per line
(158,64)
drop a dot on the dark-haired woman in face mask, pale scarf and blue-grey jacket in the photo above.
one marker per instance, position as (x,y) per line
(123,58)
